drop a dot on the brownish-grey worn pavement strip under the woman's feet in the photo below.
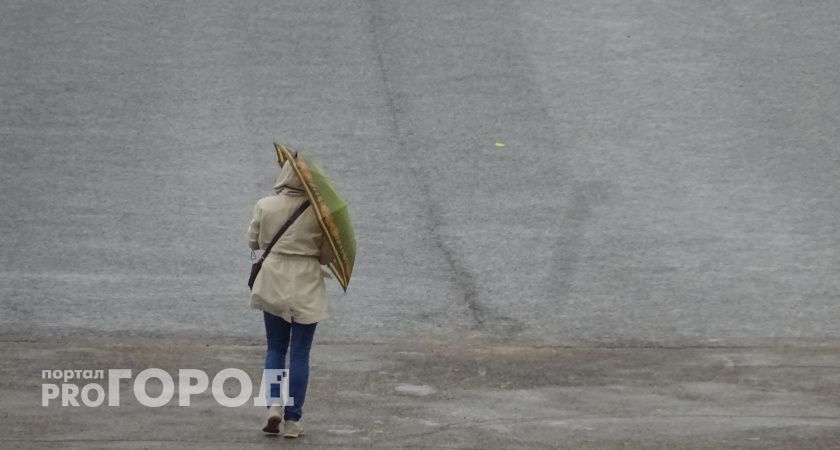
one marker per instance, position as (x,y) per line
(473,392)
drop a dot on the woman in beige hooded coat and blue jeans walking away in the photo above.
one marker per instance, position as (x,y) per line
(289,289)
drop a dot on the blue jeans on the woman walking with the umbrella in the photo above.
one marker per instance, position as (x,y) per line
(279,335)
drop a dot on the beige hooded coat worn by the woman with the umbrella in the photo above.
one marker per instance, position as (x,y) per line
(290,284)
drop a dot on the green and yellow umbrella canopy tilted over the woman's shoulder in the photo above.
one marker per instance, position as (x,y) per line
(330,209)
